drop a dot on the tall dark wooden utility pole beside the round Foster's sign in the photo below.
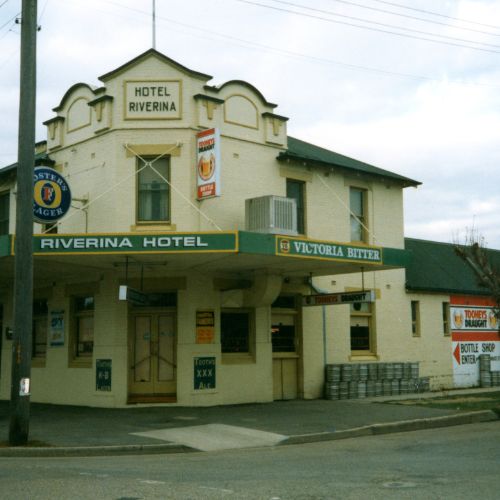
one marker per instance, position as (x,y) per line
(23,273)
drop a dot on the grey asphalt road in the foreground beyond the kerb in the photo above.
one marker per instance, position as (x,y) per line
(460,462)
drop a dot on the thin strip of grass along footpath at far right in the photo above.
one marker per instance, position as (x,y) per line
(464,402)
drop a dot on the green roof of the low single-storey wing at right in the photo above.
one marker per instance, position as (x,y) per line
(435,267)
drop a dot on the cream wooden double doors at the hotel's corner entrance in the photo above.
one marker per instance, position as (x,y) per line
(152,355)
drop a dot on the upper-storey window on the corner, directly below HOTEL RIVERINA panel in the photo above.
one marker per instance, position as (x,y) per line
(153,191)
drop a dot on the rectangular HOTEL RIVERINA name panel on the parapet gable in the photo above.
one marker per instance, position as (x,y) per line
(153,100)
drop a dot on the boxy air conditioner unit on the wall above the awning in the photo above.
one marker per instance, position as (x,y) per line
(271,214)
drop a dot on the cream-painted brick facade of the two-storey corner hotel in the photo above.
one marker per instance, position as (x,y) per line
(95,141)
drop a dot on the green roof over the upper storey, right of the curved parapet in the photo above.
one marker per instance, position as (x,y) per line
(304,151)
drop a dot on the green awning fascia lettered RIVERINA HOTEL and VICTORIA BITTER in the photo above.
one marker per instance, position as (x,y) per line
(241,242)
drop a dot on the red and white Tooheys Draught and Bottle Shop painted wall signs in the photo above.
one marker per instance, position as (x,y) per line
(474,331)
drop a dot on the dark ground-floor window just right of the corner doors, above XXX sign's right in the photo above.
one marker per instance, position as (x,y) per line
(236,331)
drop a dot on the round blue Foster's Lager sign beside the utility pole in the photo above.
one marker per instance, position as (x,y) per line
(51,197)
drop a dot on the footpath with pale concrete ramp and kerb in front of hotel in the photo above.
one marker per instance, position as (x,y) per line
(72,430)
